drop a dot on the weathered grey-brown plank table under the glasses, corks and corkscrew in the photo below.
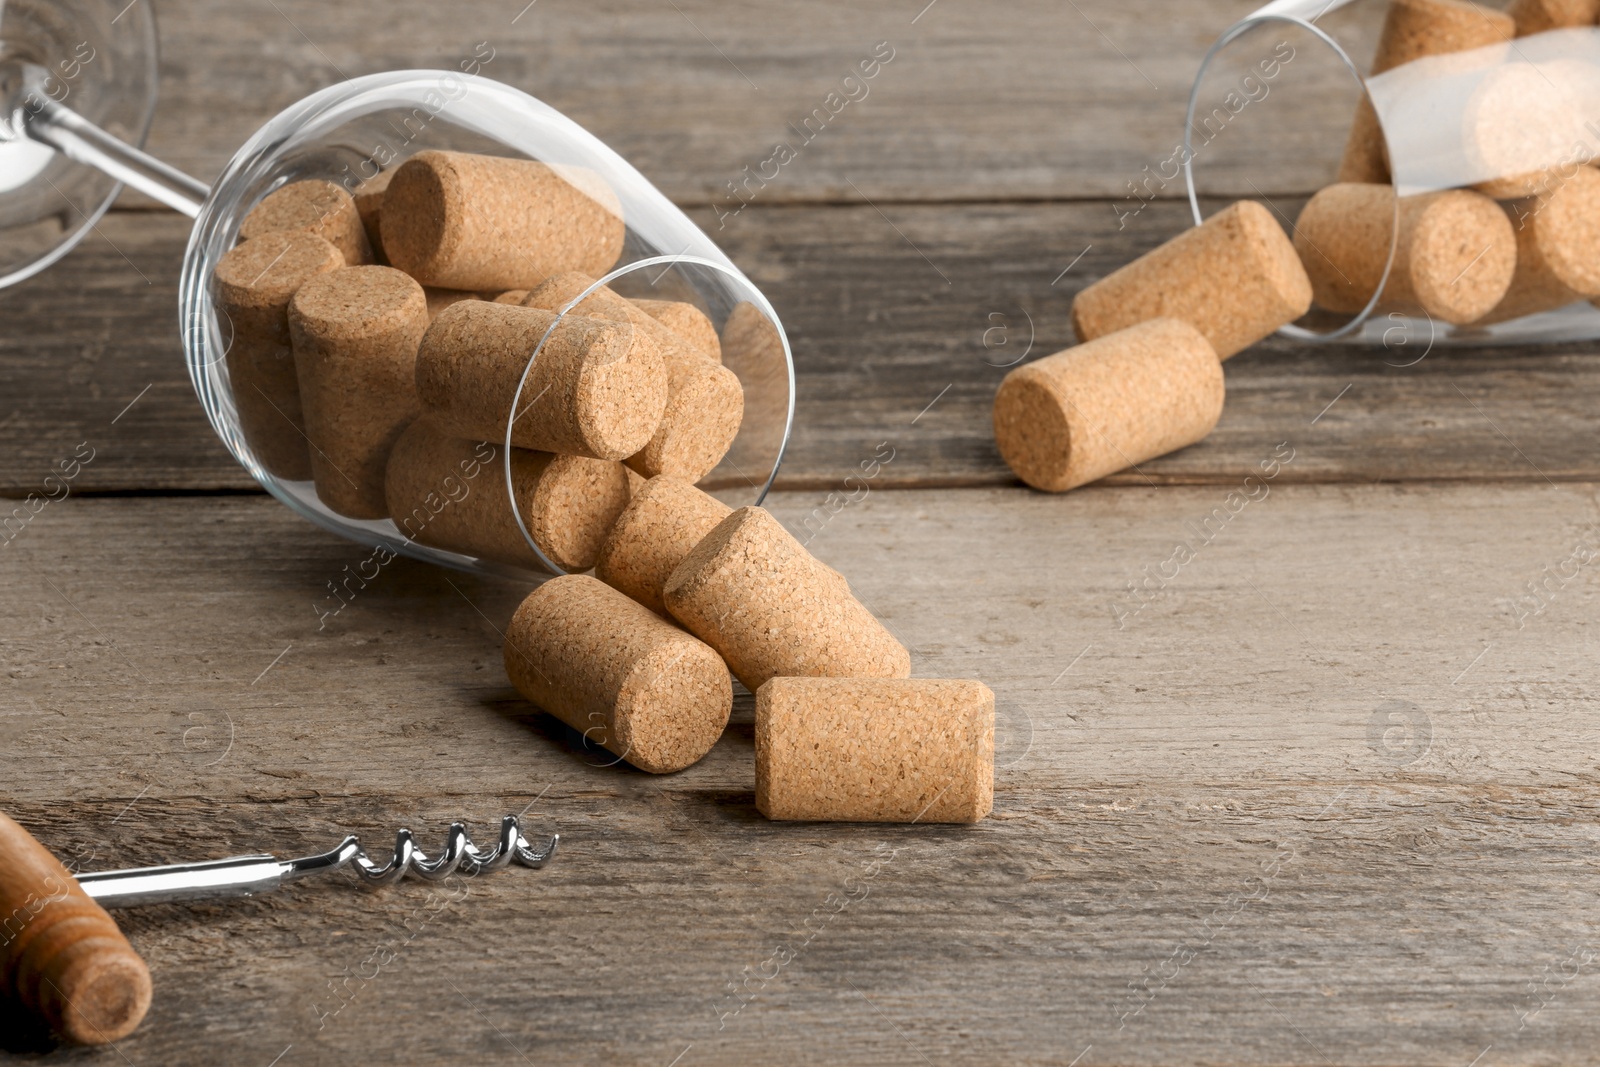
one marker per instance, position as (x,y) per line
(1327,796)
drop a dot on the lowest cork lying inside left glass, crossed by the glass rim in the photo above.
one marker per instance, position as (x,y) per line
(450,494)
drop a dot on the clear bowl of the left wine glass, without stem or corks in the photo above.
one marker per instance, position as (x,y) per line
(351,130)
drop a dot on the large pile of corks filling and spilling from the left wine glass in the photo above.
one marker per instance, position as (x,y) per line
(380,345)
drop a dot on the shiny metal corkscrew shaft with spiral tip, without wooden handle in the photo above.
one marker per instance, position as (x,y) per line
(249,876)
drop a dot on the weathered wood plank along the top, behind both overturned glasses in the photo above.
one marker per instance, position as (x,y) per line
(1044,102)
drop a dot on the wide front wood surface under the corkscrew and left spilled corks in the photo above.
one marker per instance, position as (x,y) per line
(1321,801)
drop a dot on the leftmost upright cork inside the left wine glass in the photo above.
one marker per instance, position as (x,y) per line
(255,284)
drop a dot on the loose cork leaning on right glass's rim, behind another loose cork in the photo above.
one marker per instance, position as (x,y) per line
(1234,278)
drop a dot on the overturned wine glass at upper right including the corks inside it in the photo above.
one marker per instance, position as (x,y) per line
(1420,126)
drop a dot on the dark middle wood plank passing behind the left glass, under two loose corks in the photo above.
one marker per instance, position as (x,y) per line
(898,322)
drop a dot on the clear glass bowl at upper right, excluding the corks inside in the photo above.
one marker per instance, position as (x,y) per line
(1273,108)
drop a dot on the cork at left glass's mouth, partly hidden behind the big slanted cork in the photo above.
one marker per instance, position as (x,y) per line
(660,527)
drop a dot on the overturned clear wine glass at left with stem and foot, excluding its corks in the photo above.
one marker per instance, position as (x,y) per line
(78,94)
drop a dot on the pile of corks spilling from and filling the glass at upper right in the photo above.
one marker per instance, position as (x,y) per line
(1146,378)
